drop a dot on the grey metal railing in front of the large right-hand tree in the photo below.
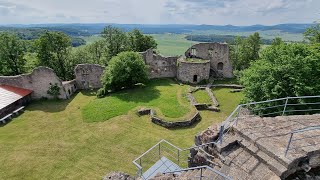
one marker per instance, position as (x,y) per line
(270,108)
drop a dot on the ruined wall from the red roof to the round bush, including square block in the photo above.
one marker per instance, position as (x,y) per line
(41,79)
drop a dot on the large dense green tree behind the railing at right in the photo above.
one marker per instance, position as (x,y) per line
(283,70)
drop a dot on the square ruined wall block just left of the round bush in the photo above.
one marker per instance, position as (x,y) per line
(88,76)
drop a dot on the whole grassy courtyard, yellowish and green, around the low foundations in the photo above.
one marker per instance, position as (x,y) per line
(62,140)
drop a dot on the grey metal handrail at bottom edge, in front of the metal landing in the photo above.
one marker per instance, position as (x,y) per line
(202,175)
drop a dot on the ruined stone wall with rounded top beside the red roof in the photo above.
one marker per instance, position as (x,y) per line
(38,81)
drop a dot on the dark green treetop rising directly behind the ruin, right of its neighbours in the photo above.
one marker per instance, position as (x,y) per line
(139,42)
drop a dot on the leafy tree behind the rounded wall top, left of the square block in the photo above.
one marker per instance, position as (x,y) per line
(53,50)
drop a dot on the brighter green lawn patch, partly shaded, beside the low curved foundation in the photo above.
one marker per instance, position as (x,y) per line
(158,94)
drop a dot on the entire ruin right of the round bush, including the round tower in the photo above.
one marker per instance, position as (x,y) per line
(200,62)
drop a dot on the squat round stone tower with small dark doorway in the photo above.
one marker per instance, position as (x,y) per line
(193,72)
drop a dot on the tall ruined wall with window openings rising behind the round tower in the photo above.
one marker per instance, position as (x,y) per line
(217,53)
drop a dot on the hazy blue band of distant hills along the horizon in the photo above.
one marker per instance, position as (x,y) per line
(92,29)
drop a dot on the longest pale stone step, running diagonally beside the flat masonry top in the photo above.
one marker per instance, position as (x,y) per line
(272,163)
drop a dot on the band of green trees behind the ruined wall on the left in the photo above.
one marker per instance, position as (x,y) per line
(54,49)
